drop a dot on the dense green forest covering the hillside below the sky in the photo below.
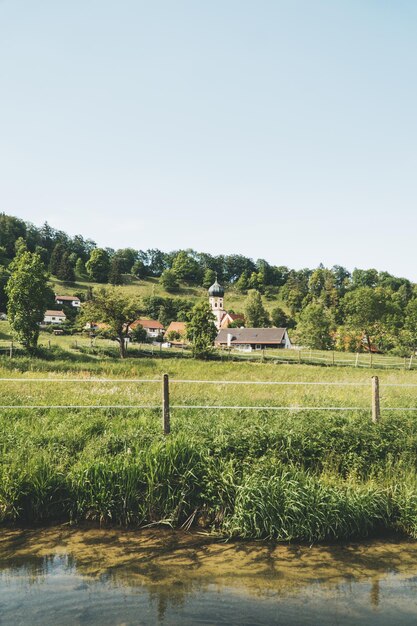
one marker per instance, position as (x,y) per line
(325,307)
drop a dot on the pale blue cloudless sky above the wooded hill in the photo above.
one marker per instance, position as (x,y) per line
(278,129)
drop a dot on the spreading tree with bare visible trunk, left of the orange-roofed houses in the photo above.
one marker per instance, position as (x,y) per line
(110,306)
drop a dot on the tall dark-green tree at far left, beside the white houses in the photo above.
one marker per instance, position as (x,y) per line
(28,297)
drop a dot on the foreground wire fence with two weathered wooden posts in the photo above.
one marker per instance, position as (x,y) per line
(166,407)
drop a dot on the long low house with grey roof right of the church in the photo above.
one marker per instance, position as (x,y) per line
(248,339)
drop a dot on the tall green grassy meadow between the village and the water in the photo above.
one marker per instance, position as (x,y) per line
(289,474)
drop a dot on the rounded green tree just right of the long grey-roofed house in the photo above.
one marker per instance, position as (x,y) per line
(314,327)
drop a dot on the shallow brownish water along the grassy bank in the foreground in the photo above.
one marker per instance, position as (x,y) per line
(63,576)
